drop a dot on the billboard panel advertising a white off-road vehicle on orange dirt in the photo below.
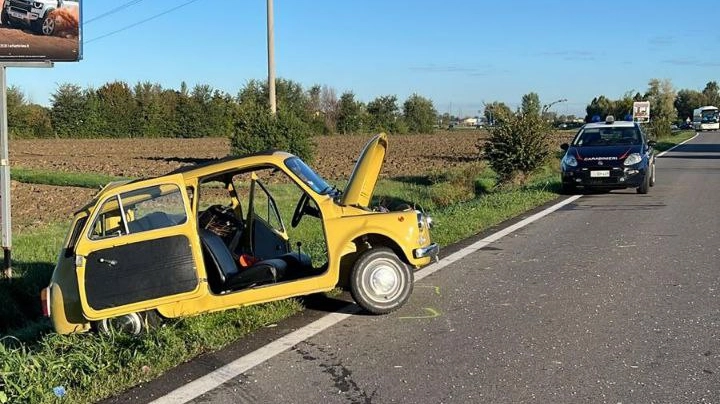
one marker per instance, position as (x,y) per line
(40,30)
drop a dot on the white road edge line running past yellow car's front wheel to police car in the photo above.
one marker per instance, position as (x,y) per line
(241,365)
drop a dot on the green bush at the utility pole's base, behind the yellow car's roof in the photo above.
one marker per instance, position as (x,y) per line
(257,130)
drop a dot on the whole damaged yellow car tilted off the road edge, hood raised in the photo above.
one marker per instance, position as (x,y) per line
(213,237)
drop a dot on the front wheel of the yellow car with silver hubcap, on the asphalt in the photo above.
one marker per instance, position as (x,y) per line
(380,282)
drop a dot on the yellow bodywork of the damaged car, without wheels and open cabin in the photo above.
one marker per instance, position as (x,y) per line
(103,258)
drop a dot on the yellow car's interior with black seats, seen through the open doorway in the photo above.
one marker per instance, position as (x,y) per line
(244,242)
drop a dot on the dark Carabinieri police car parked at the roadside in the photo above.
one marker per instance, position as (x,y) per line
(609,155)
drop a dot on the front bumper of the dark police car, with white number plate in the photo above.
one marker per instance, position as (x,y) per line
(612,177)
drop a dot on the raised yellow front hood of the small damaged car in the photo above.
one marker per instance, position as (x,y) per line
(364,177)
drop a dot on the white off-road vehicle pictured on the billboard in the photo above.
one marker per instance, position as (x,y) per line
(36,14)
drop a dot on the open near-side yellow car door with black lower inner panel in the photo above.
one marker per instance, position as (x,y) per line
(136,251)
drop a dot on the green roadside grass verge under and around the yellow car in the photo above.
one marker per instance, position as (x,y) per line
(33,360)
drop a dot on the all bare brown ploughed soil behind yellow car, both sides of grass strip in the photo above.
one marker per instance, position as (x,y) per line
(335,158)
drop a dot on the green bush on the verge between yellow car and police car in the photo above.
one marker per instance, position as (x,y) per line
(518,145)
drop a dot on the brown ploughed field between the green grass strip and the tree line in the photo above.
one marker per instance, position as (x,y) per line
(334,155)
